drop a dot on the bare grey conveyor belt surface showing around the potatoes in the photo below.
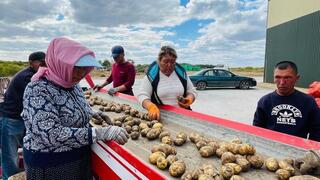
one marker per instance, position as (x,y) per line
(175,123)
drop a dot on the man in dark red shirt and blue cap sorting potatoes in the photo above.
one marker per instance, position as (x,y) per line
(122,75)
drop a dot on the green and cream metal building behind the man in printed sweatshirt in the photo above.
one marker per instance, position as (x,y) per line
(293,33)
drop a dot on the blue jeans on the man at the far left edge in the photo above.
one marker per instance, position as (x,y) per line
(11,138)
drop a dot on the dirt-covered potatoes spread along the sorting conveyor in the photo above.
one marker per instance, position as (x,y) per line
(236,156)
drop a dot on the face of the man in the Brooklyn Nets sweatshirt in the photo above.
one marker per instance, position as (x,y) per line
(285,79)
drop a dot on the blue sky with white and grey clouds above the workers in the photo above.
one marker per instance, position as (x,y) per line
(230,32)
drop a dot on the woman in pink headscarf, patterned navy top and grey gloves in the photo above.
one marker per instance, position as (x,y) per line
(56,115)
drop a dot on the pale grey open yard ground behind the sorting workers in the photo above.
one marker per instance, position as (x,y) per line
(227,103)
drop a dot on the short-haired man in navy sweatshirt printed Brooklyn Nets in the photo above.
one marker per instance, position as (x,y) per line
(288,110)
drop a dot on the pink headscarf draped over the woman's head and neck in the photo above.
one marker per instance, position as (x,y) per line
(62,54)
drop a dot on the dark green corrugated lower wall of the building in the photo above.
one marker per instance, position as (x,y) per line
(297,40)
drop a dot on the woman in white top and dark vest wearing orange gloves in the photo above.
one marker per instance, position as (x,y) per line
(166,82)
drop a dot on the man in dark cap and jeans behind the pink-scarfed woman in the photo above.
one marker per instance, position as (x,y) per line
(12,130)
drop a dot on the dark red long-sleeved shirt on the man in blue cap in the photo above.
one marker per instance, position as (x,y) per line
(123,74)
